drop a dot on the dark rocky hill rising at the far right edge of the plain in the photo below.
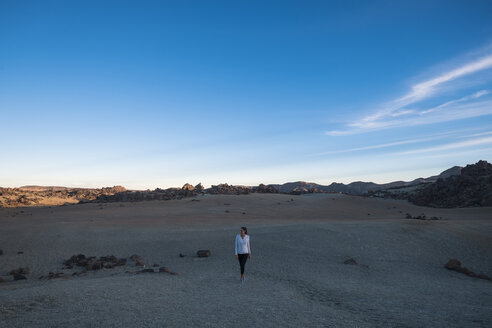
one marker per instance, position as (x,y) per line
(473,187)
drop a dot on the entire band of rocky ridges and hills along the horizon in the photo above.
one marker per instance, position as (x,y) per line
(454,187)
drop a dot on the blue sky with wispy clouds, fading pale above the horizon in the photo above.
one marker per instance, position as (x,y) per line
(151,94)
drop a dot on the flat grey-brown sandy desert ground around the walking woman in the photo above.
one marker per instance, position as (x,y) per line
(296,276)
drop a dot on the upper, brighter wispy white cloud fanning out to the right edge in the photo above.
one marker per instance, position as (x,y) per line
(404,112)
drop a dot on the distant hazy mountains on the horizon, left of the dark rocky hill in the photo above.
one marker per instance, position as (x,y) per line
(359,187)
